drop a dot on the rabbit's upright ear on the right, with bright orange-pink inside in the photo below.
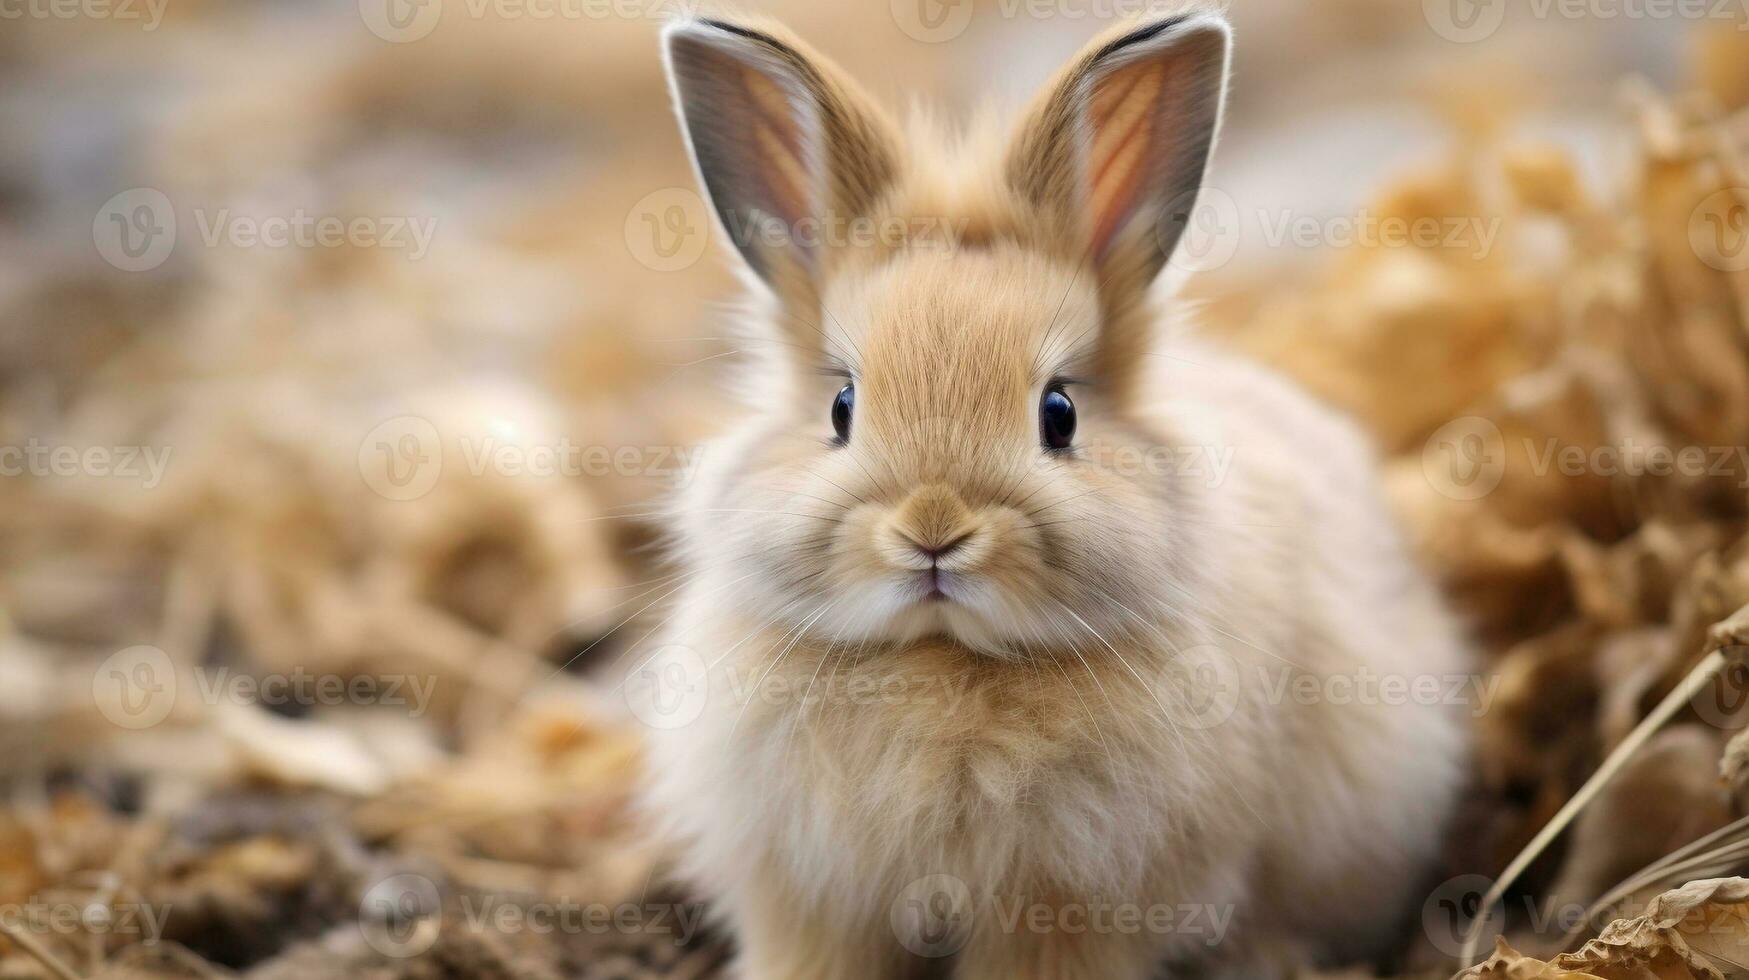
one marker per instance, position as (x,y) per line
(1115,150)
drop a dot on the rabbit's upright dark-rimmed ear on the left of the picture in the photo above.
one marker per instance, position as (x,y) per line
(784,146)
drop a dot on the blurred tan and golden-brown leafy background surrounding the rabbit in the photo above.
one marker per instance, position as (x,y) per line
(349,347)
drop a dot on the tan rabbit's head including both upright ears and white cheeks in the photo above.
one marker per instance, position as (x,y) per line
(951,342)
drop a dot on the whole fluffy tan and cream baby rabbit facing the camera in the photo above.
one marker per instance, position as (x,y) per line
(1017,638)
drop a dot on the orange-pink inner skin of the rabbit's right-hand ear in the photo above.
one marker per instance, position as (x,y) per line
(1124,158)
